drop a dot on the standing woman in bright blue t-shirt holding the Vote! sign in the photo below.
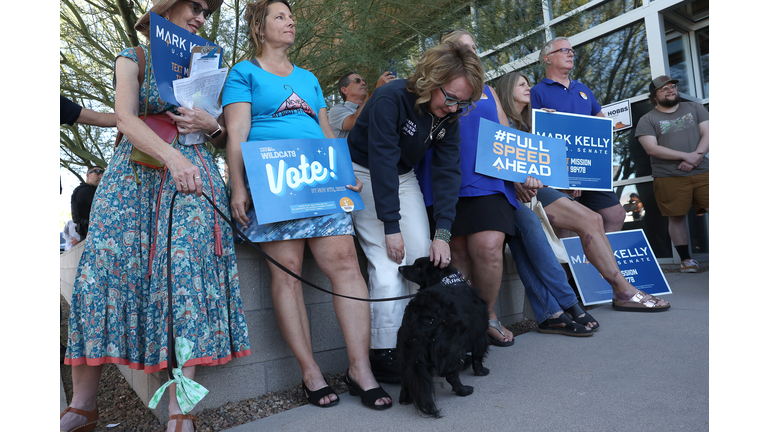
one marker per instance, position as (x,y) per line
(269,98)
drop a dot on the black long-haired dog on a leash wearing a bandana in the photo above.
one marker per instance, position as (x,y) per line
(444,321)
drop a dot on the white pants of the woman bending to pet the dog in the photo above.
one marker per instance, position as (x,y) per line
(384,280)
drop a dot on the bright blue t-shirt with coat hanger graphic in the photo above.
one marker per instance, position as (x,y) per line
(281,107)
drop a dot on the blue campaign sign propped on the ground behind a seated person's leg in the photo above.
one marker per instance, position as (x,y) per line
(635,259)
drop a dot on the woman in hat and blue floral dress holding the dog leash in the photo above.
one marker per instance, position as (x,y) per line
(119,308)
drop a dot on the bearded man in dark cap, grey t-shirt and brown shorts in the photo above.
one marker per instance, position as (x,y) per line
(676,136)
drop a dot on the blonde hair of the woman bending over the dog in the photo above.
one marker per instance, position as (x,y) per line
(442,64)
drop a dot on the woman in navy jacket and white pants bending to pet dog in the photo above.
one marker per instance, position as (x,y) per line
(400,121)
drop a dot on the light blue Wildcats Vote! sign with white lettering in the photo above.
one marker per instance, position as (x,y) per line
(300,178)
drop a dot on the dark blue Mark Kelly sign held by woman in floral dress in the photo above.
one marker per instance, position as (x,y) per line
(171,51)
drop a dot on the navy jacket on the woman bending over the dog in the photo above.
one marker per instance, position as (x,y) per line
(390,137)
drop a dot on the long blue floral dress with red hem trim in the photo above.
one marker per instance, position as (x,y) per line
(119,307)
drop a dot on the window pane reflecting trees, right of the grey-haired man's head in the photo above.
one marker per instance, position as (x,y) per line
(615,66)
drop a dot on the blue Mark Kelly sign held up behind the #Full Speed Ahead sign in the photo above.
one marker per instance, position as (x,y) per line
(588,144)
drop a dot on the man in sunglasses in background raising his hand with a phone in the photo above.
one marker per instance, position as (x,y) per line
(354,91)
